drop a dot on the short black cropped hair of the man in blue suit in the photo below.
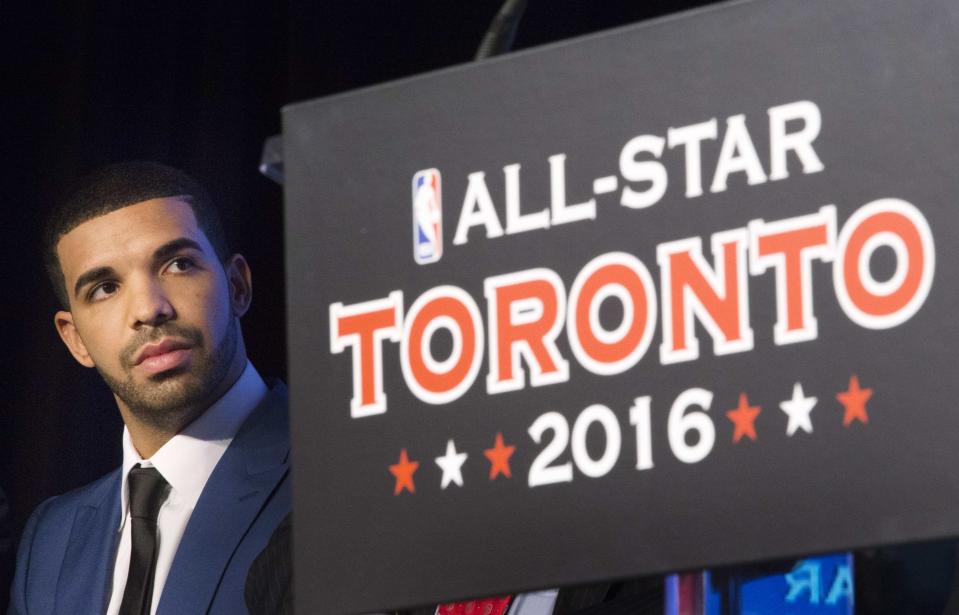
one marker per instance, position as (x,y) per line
(117,186)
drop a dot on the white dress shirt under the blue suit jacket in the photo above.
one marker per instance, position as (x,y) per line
(185,462)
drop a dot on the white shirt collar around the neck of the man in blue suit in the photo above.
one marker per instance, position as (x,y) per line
(188,458)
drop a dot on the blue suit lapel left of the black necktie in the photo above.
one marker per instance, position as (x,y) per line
(86,572)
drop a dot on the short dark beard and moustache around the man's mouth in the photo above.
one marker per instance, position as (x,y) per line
(171,401)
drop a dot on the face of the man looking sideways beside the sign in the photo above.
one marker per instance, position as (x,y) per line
(154,309)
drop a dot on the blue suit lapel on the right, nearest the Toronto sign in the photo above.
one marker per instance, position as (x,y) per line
(242,481)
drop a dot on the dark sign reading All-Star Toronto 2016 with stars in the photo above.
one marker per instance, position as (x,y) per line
(678,295)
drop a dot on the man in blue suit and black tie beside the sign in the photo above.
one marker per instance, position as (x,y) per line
(152,298)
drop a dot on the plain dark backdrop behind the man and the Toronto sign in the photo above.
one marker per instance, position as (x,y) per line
(197,85)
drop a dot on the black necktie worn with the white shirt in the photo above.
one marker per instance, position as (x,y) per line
(147,492)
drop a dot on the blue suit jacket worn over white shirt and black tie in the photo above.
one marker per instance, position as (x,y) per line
(66,555)
